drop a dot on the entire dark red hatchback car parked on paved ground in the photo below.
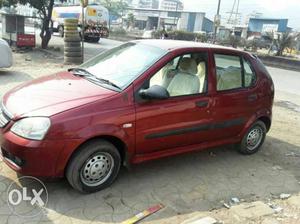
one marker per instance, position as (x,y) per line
(139,101)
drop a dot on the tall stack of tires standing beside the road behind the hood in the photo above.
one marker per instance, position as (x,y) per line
(72,49)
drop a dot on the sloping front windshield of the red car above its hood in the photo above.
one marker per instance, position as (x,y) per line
(123,64)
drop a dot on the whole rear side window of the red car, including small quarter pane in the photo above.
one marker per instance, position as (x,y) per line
(233,72)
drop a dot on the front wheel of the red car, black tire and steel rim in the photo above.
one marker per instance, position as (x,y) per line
(94,167)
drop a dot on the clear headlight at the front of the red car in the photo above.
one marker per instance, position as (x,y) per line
(34,128)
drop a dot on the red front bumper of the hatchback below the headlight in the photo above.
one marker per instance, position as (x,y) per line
(46,158)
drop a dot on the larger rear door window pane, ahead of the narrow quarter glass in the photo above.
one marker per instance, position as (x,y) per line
(229,72)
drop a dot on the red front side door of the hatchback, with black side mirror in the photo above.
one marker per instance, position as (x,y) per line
(178,121)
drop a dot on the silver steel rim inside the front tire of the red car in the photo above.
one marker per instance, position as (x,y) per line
(97,169)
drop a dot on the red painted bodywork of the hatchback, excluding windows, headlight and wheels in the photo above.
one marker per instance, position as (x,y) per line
(80,110)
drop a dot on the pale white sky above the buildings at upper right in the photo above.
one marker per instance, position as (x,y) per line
(289,9)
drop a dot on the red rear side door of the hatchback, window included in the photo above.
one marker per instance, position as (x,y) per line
(235,98)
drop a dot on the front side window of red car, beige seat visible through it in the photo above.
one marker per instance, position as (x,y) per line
(184,75)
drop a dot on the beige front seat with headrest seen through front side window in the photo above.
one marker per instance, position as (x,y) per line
(185,81)
